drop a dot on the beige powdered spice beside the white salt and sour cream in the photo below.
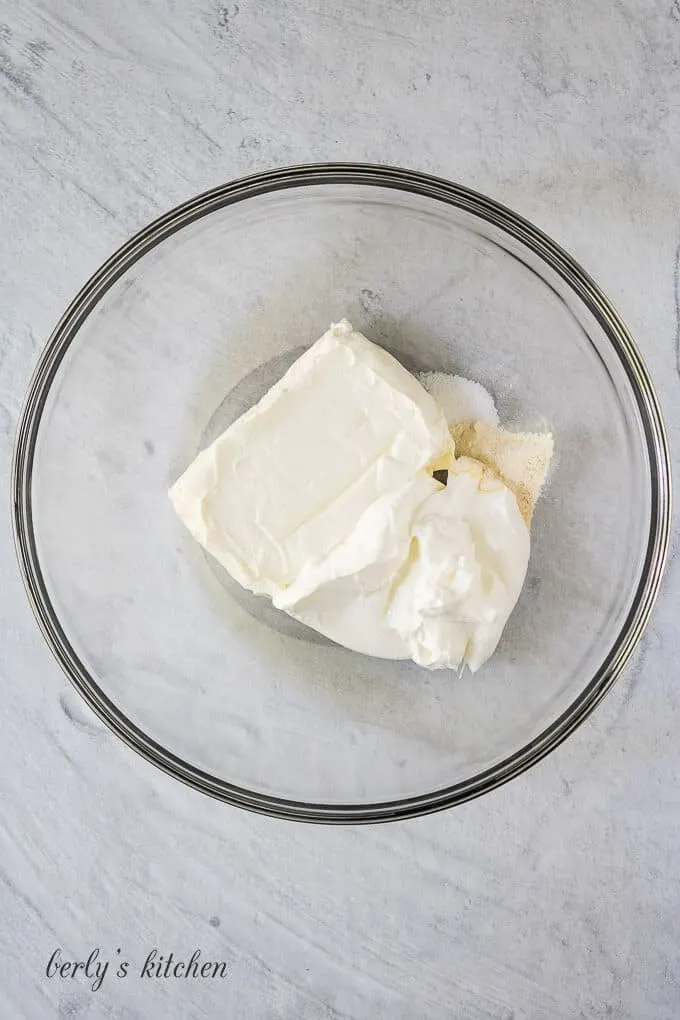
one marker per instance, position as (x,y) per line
(520,460)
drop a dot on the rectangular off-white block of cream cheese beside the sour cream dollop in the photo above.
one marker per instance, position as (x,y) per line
(289,482)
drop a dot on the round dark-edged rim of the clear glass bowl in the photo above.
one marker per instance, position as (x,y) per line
(450,194)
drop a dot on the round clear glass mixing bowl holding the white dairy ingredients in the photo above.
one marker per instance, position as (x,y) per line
(190,324)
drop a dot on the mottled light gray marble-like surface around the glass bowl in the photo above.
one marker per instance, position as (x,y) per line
(556,897)
